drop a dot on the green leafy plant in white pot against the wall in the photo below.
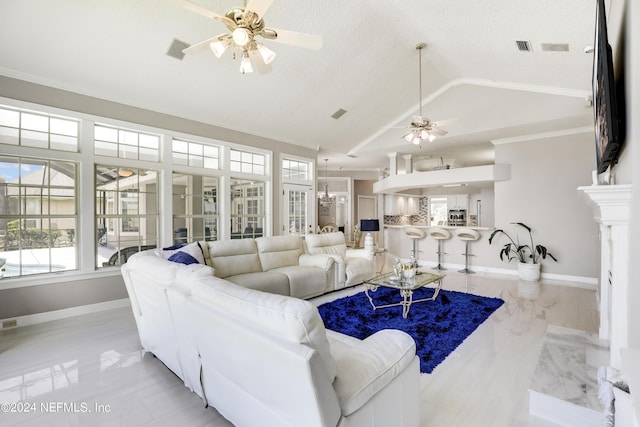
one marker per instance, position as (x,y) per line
(528,255)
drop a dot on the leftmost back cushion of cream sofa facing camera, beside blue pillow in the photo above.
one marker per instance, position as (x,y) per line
(233,257)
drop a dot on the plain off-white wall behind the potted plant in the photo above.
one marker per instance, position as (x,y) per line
(542,193)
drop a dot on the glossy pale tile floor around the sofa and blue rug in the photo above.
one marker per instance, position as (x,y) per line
(90,370)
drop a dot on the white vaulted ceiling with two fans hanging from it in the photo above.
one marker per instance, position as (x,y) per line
(472,69)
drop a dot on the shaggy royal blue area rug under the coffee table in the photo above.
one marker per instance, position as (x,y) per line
(438,327)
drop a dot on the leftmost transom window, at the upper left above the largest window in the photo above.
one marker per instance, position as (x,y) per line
(39,130)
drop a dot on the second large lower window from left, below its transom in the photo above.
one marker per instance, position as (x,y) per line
(126,212)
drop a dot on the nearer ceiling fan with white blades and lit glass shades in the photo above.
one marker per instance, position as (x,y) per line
(245,25)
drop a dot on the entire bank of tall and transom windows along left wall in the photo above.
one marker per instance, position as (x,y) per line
(42,203)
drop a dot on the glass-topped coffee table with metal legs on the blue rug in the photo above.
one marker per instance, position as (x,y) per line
(406,288)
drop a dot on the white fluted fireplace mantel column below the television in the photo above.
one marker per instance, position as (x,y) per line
(612,211)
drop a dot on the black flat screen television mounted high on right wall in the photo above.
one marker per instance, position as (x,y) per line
(605,105)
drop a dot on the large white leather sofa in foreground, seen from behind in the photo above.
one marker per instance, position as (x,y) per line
(265,359)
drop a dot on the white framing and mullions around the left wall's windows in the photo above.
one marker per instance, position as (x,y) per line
(86,234)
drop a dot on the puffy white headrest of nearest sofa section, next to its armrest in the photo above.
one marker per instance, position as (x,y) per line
(287,318)
